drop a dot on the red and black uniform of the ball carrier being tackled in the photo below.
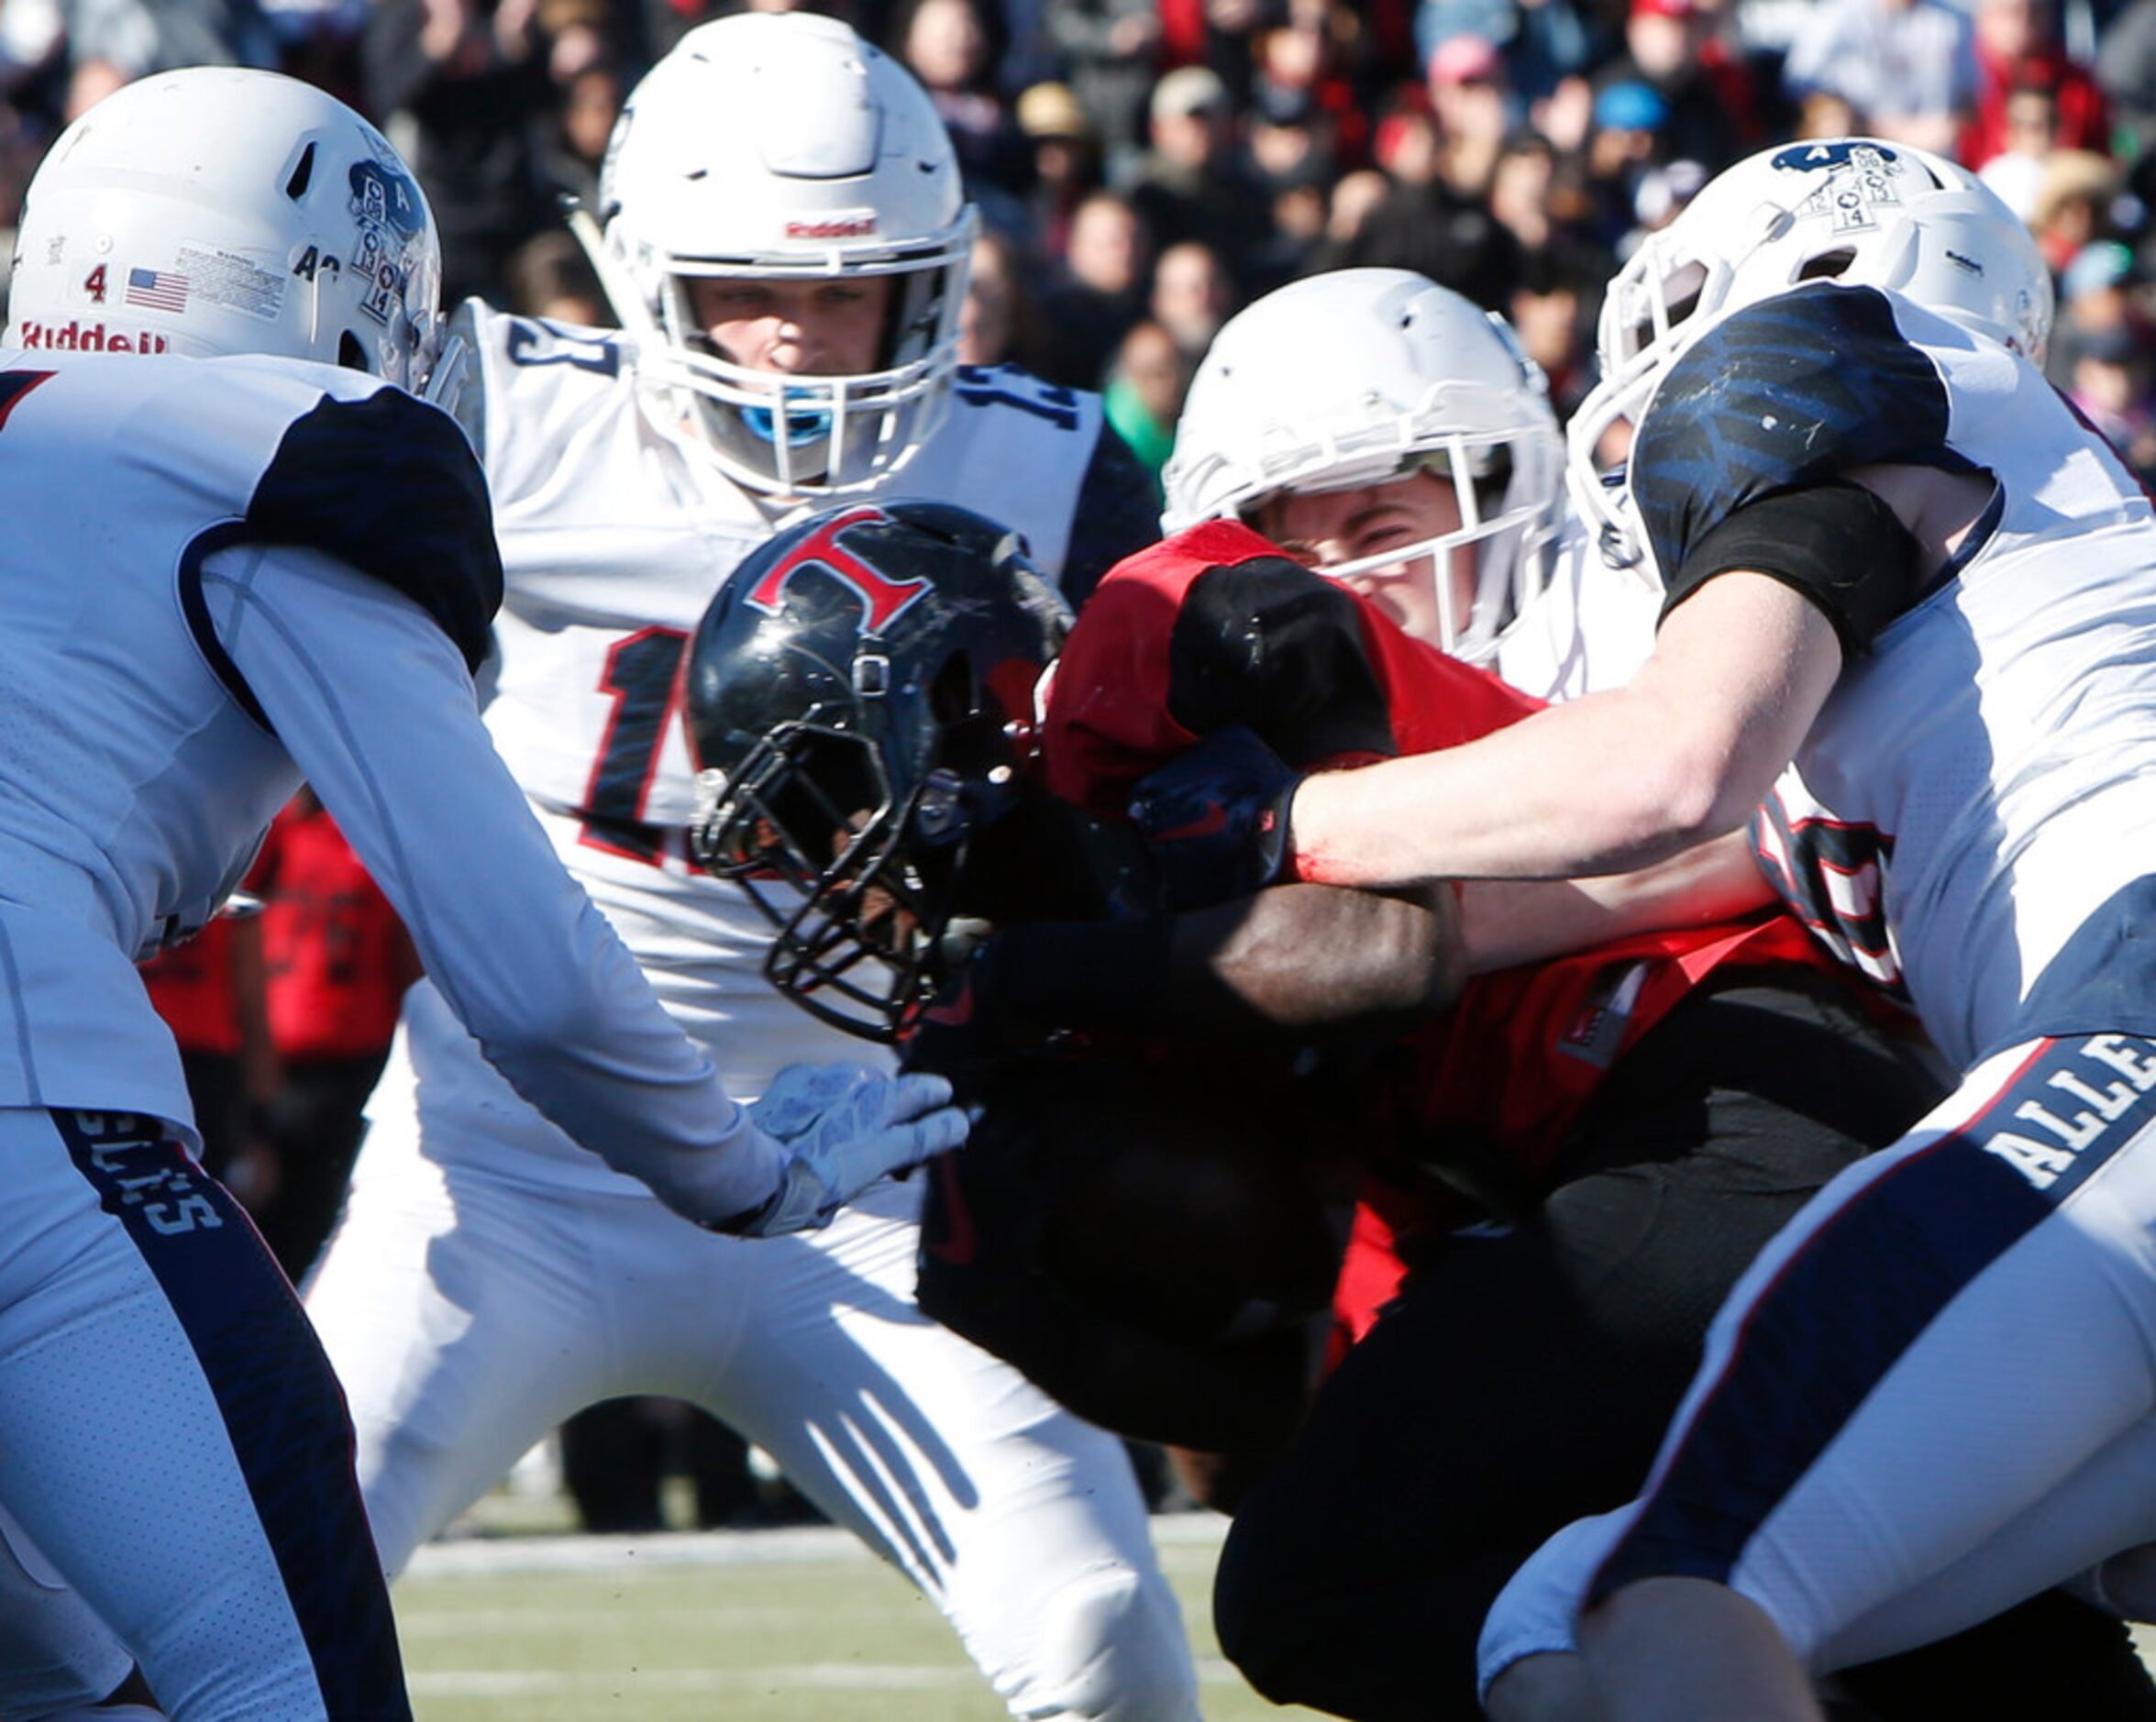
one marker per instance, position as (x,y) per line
(1644,1115)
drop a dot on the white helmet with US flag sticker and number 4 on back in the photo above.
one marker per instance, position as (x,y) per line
(221,210)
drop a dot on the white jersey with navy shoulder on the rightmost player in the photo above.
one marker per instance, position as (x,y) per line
(1985,777)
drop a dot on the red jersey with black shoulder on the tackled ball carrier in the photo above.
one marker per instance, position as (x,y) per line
(1217,628)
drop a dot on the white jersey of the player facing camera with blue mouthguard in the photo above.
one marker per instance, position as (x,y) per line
(616,533)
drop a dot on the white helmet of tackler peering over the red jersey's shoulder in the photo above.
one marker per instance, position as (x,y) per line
(1364,376)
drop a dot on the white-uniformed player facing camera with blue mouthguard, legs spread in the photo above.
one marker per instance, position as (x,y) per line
(786,240)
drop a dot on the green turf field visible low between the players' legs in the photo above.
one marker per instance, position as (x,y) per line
(747,1626)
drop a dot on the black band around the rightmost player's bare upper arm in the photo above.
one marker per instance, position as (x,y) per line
(1836,544)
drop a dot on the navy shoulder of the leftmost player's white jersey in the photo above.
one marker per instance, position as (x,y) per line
(391,488)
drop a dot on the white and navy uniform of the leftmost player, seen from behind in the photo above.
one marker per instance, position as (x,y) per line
(227,574)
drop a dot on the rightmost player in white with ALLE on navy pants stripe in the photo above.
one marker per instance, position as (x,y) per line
(1909,643)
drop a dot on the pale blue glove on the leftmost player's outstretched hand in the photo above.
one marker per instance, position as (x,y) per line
(844,1128)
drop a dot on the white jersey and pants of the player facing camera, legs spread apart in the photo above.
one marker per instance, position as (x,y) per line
(488,1281)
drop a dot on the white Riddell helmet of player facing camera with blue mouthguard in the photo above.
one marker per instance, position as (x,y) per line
(782,145)
